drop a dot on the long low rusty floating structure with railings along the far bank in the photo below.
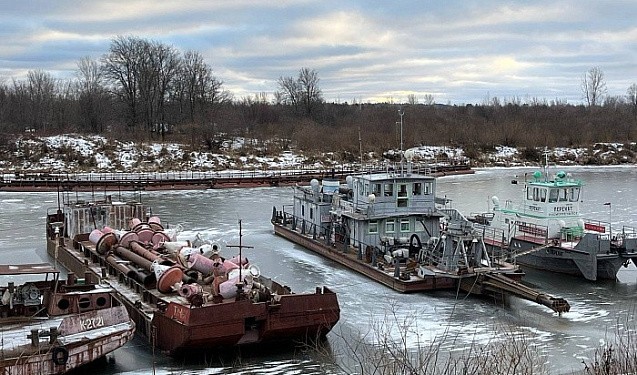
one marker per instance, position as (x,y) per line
(191,179)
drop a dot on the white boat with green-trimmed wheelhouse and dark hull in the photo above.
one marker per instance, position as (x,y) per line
(546,231)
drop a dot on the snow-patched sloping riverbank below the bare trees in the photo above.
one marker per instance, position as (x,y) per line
(72,153)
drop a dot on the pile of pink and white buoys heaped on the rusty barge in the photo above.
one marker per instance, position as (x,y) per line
(169,262)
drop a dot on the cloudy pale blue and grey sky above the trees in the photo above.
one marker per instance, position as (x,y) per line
(459,52)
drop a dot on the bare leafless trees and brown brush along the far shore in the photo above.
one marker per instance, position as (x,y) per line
(144,90)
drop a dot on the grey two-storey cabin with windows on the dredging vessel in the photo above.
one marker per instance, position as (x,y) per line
(378,209)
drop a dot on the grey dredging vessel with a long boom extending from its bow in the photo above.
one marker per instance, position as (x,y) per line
(386,226)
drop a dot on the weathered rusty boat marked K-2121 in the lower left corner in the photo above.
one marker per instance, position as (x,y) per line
(51,326)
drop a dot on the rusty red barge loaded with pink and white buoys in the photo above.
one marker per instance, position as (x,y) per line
(183,294)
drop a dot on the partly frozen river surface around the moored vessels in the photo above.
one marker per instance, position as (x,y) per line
(457,322)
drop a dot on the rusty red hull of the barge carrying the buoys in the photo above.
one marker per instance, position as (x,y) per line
(176,327)
